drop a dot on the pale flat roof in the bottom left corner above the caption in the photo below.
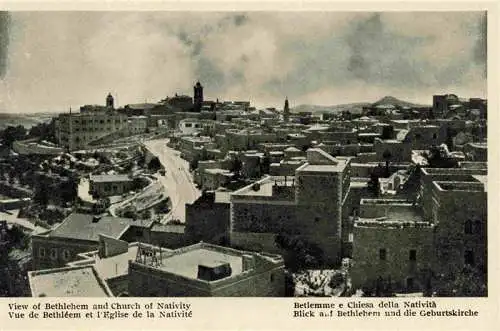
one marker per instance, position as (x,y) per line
(67,282)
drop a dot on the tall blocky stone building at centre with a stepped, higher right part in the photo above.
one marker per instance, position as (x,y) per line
(311,205)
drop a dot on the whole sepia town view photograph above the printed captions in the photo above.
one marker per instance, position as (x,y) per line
(334,154)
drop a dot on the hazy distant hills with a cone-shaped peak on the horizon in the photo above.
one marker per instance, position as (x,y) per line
(355,107)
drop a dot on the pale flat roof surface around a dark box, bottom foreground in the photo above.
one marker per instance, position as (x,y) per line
(186,263)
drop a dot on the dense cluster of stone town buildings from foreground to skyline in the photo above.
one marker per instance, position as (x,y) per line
(395,195)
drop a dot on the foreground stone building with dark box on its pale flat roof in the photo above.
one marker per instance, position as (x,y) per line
(206,270)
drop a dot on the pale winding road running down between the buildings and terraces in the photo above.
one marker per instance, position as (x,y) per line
(177,180)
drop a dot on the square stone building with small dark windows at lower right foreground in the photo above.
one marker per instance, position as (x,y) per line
(392,246)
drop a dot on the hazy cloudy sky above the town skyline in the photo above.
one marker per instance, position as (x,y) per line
(50,61)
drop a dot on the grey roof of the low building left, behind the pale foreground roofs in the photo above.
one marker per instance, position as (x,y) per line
(82,227)
